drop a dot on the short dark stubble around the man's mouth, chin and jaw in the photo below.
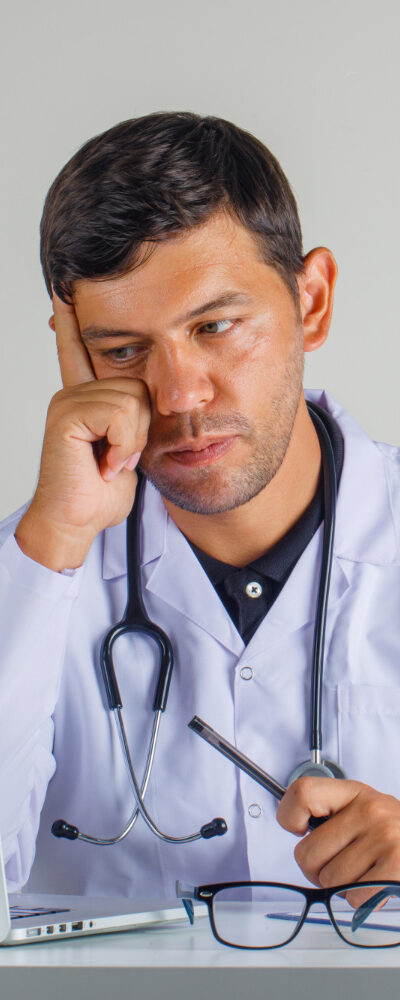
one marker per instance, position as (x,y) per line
(214,490)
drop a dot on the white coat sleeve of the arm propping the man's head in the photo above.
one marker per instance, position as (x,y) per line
(35,607)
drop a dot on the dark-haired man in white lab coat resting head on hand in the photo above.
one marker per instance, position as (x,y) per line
(182,307)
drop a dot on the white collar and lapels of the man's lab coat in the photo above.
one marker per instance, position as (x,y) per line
(365,532)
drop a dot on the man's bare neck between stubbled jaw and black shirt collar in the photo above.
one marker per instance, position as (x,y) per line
(240,536)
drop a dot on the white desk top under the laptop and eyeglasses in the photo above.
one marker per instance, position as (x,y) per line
(174,962)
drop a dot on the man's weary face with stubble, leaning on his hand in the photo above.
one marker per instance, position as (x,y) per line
(216,337)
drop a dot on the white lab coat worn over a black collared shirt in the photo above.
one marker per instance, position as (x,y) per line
(59,749)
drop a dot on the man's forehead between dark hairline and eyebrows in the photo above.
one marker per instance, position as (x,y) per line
(195,265)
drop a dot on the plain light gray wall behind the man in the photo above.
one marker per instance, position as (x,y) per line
(317,81)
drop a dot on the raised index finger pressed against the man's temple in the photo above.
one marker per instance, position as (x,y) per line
(73,358)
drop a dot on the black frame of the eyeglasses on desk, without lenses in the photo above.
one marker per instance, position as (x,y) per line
(207,893)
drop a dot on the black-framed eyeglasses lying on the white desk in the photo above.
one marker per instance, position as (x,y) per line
(270,914)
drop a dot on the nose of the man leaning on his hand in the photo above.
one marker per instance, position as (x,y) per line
(178,381)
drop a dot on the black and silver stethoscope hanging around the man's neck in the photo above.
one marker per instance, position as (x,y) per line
(136,620)
